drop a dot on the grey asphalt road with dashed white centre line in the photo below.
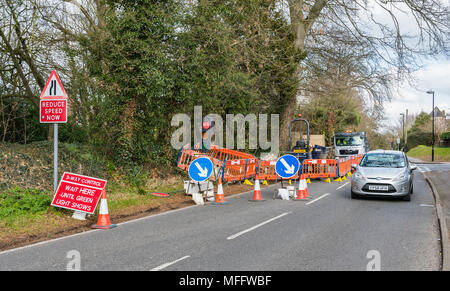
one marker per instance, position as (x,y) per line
(329,232)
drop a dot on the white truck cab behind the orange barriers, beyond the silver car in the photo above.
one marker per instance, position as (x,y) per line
(350,143)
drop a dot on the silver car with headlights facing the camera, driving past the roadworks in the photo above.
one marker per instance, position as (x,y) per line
(383,173)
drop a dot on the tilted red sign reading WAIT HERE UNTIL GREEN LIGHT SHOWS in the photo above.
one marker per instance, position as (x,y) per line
(78,192)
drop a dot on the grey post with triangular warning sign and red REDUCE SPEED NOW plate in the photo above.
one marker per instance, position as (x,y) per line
(53,109)
